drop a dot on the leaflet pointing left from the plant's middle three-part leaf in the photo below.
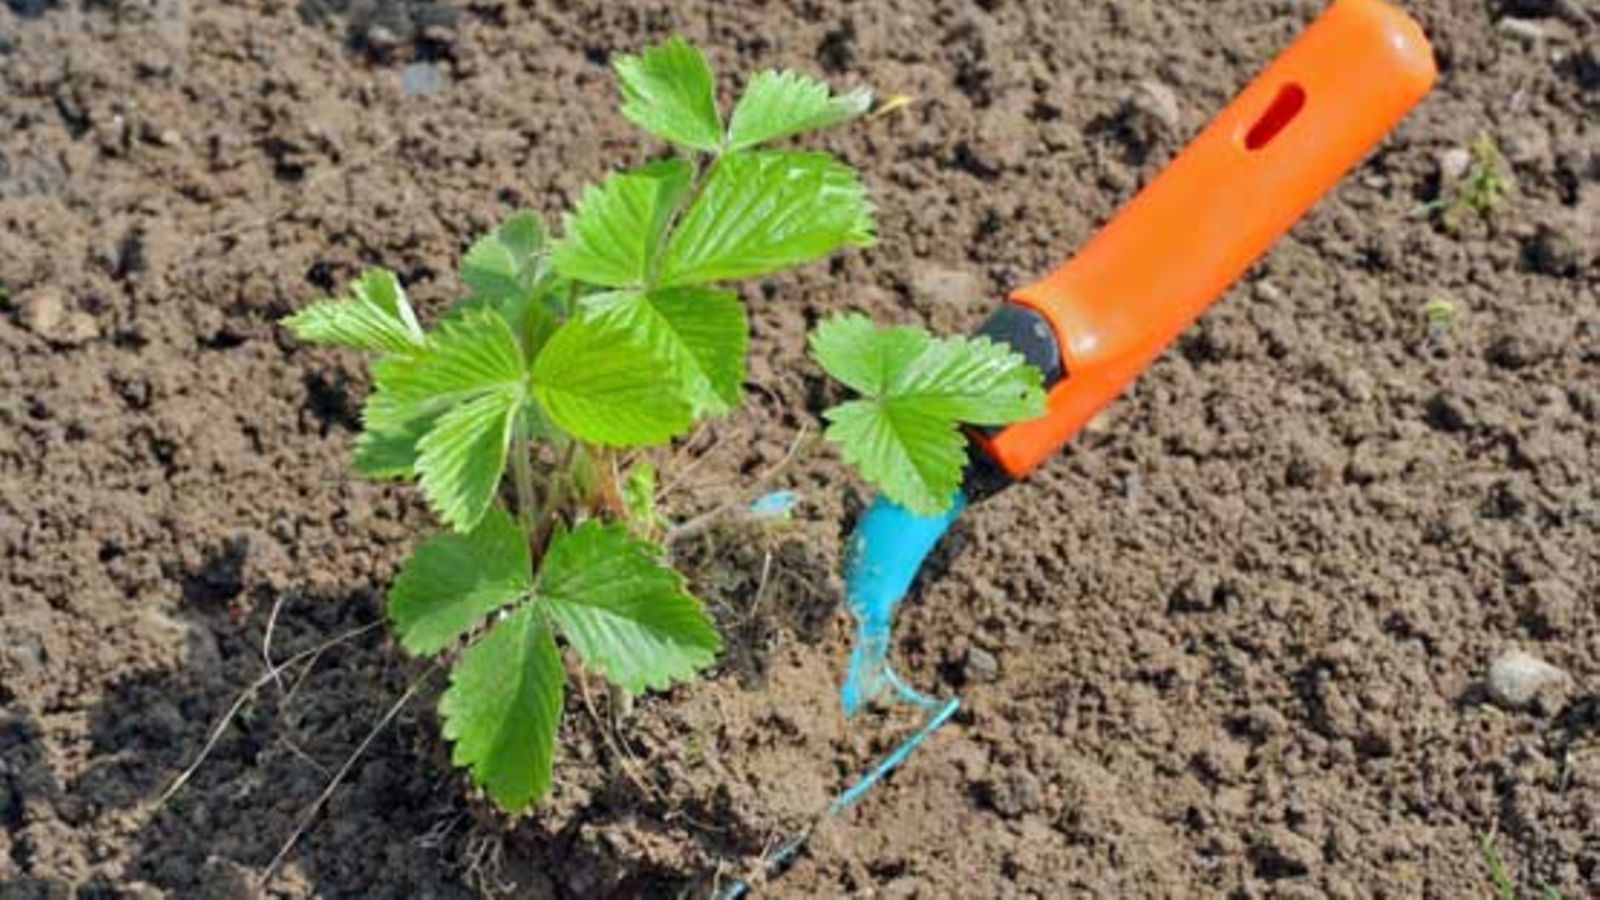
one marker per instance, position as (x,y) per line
(468,356)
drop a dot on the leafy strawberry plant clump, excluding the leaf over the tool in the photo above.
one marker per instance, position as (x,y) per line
(615,335)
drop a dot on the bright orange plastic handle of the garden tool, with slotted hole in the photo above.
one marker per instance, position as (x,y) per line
(1266,159)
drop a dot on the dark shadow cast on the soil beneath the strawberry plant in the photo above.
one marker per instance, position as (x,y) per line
(220,832)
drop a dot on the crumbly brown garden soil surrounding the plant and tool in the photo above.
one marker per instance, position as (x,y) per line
(1231,643)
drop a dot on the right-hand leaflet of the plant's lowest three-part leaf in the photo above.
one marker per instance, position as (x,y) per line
(623,611)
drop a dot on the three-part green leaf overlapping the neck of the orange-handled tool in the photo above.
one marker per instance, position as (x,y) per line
(905,435)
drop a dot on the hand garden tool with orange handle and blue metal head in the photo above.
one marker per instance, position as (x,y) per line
(1100,319)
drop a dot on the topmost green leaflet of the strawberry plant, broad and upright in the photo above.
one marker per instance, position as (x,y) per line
(670,92)
